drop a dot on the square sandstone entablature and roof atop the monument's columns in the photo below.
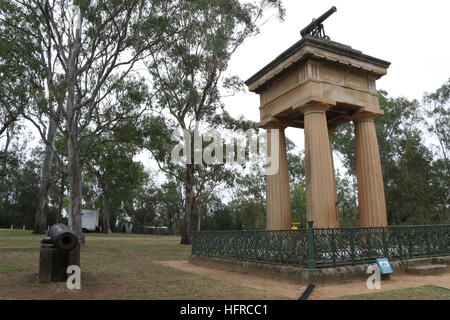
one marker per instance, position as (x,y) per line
(316,68)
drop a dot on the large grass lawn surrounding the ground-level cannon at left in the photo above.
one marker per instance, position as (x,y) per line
(116,266)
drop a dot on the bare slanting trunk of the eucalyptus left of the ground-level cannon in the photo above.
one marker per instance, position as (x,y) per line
(40,222)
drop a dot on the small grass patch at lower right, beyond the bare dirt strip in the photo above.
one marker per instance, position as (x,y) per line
(428,292)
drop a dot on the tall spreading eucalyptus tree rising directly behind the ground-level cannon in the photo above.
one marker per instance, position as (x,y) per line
(93,47)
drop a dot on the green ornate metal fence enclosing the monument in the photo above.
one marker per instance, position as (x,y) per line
(318,248)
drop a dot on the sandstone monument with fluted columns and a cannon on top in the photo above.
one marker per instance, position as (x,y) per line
(317,85)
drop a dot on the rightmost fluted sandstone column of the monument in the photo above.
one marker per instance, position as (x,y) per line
(372,204)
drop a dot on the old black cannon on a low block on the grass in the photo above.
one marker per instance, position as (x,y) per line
(60,249)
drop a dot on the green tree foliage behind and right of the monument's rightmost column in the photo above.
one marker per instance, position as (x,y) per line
(415,178)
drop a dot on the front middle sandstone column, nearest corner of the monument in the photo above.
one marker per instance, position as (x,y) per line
(320,183)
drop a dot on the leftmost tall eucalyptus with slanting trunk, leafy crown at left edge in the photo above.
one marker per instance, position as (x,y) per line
(31,71)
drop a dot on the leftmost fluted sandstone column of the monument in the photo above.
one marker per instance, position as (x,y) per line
(278,194)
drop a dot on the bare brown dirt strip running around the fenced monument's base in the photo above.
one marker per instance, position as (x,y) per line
(292,290)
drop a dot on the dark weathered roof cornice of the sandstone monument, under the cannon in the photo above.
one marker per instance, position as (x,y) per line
(327,46)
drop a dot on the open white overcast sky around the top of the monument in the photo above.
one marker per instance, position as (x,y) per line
(412,35)
